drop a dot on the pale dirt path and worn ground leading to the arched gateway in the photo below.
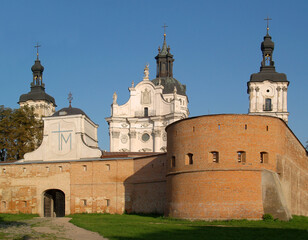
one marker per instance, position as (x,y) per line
(47,228)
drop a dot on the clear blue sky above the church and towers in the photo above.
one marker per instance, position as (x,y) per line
(93,48)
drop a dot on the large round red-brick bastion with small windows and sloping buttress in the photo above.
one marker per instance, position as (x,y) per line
(235,166)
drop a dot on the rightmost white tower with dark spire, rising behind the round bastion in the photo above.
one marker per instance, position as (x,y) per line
(267,89)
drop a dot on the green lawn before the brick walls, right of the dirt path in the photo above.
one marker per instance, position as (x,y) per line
(120,227)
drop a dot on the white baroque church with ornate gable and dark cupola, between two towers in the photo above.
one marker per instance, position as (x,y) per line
(139,124)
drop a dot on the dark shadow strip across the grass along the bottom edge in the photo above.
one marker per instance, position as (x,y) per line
(224,233)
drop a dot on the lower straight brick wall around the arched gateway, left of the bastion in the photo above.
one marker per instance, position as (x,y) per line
(112,185)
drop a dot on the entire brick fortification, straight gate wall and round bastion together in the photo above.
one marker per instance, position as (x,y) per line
(165,183)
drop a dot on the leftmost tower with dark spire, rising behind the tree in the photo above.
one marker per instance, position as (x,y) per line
(44,104)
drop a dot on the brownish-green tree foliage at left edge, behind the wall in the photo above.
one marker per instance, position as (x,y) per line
(20,132)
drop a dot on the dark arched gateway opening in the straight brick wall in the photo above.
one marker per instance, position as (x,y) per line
(54,203)
